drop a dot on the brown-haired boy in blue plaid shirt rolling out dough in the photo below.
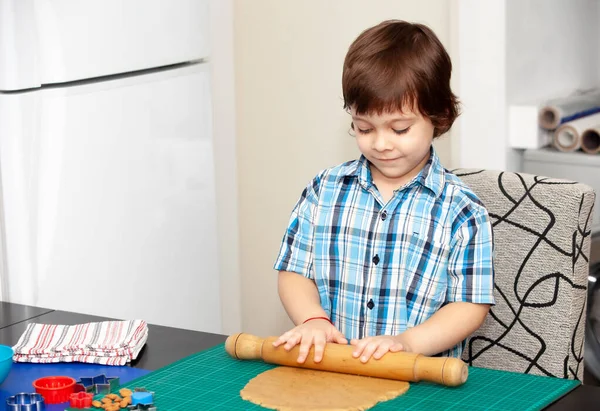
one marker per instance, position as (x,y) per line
(389,252)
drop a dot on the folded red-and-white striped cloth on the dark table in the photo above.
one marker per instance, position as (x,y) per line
(106,342)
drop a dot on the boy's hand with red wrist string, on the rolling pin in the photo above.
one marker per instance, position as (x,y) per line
(316,332)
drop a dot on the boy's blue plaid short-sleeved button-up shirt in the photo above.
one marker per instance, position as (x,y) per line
(383,268)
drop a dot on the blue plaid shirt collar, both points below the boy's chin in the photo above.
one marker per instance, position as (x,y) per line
(432,176)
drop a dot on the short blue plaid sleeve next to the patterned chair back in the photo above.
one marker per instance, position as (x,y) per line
(471,265)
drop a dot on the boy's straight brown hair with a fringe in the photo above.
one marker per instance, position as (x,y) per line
(396,65)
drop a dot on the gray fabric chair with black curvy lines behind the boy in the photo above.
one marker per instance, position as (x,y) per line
(542,240)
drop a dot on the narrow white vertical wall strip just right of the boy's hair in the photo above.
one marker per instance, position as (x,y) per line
(479,27)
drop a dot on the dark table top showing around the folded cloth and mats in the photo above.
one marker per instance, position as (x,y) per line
(166,345)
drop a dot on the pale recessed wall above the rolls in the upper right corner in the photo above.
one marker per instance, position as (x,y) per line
(551,47)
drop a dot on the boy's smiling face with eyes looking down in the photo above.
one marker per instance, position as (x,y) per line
(397,144)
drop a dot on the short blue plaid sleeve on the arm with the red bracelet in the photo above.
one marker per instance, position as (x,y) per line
(296,251)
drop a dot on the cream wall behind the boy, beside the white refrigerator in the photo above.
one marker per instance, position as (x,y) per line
(290,121)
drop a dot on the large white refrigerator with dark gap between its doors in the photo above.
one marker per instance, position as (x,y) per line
(106,159)
